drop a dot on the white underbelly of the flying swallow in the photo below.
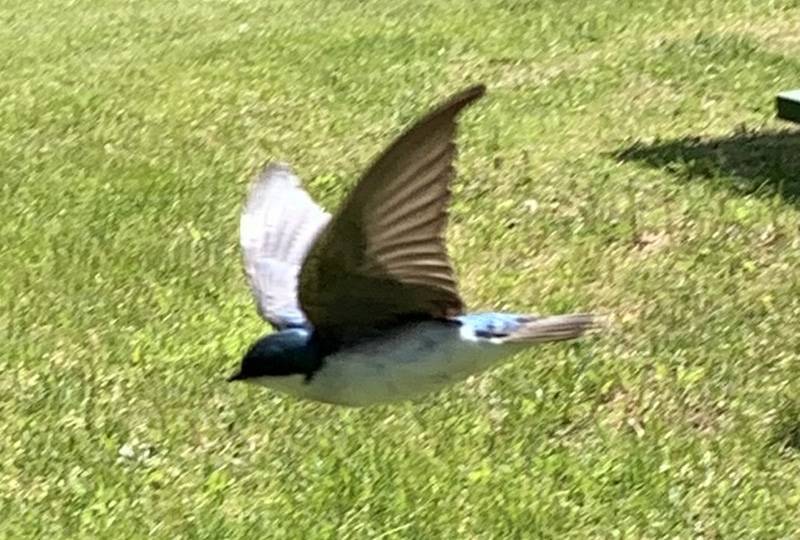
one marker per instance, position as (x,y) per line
(421,359)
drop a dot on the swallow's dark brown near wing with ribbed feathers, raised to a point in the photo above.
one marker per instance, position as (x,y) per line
(383,259)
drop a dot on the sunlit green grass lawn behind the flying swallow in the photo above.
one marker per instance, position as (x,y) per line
(625,161)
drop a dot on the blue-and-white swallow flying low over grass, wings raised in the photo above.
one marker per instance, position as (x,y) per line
(364,303)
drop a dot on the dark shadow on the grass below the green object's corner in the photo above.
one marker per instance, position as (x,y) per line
(763,163)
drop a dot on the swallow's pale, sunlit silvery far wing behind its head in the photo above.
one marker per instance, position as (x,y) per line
(279,223)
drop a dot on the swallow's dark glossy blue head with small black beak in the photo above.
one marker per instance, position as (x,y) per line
(282,354)
